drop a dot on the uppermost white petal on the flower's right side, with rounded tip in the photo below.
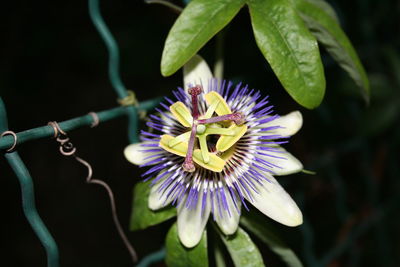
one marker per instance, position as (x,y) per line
(290,124)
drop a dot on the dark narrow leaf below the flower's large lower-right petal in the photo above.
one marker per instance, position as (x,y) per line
(264,230)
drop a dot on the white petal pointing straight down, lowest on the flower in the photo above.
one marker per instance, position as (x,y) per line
(191,222)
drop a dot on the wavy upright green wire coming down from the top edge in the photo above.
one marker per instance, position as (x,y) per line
(113,67)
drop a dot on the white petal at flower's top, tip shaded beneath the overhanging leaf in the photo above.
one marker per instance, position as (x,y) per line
(196,71)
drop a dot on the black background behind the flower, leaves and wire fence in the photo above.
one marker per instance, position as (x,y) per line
(53,66)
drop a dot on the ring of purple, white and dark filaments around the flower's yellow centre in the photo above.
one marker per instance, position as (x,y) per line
(244,170)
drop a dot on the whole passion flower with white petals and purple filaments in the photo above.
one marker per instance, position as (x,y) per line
(215,149)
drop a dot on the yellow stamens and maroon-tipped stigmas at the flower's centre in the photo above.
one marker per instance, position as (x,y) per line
(228,127)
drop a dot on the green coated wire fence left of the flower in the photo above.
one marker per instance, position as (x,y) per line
(129,106)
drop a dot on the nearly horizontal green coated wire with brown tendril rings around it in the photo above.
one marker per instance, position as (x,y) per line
(86,120)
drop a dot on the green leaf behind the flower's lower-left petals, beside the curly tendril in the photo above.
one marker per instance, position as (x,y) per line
(143,217)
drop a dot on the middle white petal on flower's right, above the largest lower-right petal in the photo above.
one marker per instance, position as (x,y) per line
(286,163)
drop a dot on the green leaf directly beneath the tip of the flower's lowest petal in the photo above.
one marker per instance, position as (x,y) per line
(180,256)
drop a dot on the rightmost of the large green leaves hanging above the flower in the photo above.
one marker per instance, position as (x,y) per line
(329,33)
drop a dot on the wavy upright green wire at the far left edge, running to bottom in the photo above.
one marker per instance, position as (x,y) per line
(28,198)
